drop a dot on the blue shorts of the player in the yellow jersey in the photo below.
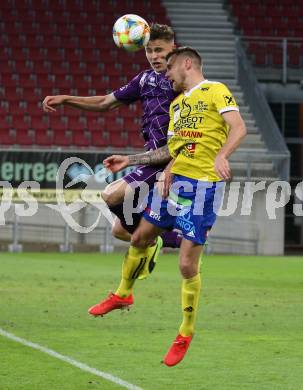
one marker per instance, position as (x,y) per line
(191,207)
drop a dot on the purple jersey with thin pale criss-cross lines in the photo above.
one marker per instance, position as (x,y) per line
(156,94)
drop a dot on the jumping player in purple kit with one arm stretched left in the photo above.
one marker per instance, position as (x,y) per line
(155,93)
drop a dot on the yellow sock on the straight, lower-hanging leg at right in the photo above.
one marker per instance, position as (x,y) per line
(190,299)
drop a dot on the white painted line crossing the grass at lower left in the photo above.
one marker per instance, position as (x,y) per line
(71,361)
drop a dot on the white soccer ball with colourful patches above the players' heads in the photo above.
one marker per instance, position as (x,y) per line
(131,32)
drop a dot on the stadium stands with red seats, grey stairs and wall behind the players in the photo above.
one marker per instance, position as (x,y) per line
(66,47)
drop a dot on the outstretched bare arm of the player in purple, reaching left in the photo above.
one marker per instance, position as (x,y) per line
(89,103)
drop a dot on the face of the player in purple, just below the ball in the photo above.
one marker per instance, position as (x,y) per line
(156,52)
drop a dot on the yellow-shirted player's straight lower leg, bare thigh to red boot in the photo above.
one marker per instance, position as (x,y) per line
(190,253)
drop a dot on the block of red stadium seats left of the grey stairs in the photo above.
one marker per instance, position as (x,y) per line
(67,48)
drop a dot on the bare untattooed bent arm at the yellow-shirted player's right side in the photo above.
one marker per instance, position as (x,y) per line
(237,132)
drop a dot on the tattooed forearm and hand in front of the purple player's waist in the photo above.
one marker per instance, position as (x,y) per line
(154,157)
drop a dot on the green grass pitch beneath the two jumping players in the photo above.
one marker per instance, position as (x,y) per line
(249,333)
